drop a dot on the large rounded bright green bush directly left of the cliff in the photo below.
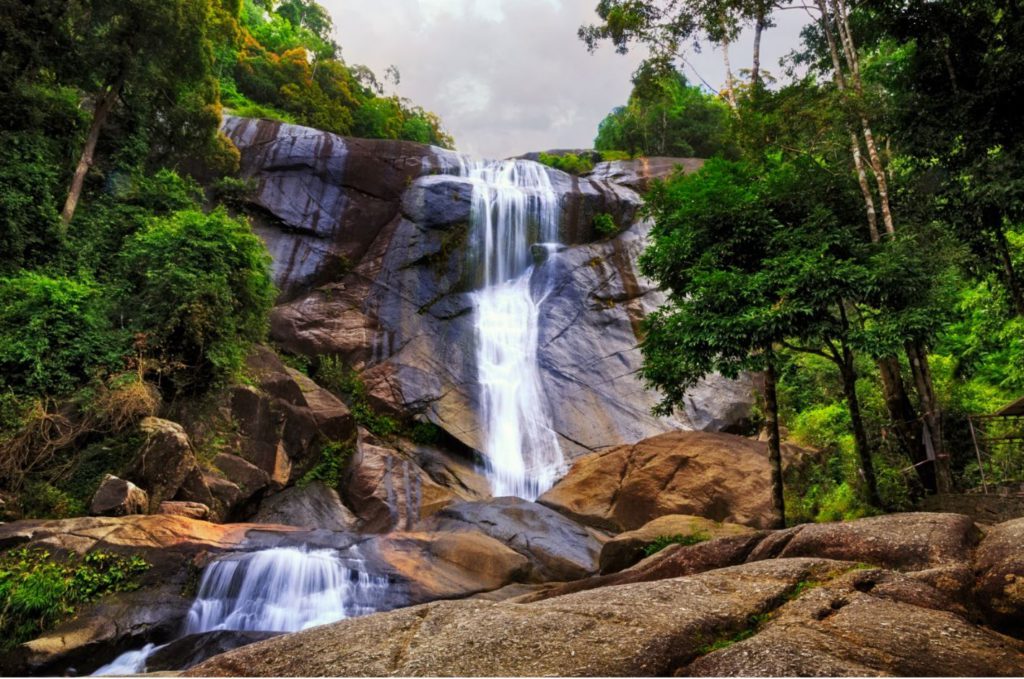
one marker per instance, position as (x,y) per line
(199,289)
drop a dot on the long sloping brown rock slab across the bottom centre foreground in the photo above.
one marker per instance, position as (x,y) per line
(646,629)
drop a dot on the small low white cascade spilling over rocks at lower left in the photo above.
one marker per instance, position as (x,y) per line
(286,589)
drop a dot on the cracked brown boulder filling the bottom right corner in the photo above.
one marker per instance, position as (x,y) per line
(865,624)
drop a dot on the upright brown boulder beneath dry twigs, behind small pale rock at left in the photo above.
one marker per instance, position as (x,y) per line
(165,461)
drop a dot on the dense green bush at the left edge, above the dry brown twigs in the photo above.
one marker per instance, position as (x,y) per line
(55,334)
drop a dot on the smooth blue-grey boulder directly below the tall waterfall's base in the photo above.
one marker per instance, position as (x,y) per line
(558,547)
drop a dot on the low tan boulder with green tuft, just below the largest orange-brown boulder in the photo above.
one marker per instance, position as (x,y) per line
(628,548)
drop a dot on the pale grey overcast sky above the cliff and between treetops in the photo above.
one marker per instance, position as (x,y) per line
(510,76)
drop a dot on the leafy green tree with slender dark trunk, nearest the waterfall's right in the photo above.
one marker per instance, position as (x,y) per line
(711,231)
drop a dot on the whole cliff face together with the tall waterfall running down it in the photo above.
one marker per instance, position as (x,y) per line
(378,249)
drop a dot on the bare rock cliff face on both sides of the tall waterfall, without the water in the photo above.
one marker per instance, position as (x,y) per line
(373,253)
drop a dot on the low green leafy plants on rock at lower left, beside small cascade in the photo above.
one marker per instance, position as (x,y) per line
(38,591)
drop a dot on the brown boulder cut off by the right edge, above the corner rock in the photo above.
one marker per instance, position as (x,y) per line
(1000,567)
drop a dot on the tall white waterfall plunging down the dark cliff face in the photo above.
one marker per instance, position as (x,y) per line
(516,207)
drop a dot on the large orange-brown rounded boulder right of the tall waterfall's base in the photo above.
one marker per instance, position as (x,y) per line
(717,477)
